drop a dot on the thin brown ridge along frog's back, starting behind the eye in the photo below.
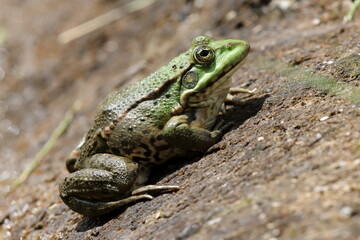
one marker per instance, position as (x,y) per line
(153,94)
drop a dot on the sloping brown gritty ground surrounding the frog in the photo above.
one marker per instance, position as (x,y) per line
(288,169)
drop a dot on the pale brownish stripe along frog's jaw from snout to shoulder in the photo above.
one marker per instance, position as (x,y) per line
(222,78)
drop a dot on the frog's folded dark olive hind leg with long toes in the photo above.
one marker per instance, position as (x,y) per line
(103,184)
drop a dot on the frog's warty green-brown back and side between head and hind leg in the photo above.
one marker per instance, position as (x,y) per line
(142,120)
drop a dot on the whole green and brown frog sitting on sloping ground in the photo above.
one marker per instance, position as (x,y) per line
(174,112)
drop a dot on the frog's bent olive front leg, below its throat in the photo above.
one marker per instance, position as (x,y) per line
(179,133)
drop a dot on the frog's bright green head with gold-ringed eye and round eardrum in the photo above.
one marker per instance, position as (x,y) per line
(213,63)
